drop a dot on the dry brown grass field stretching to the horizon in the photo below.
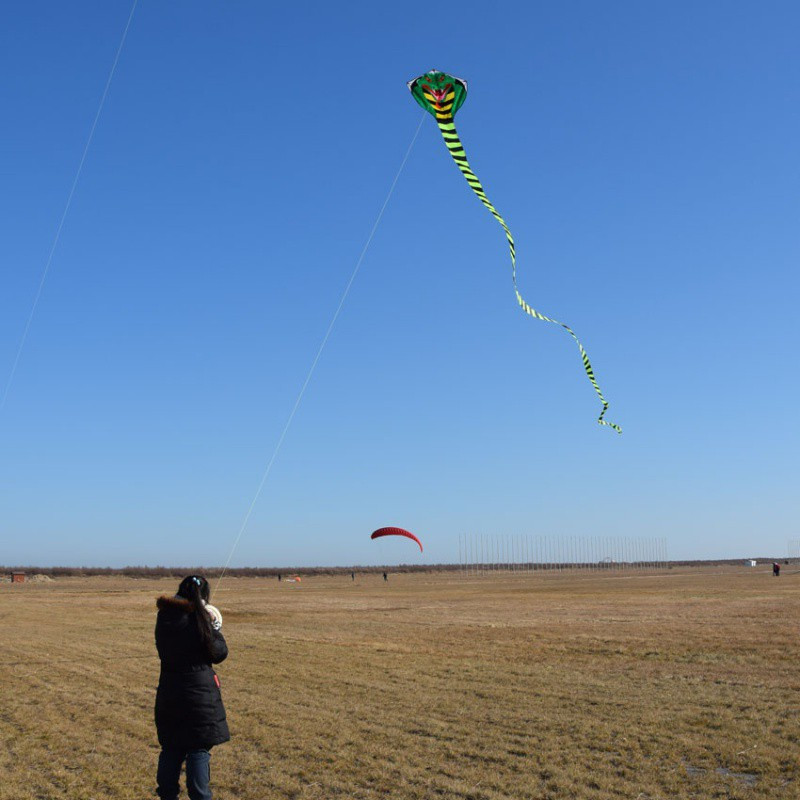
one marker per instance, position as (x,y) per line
(681,683)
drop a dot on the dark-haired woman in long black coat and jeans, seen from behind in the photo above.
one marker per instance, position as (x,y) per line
(190,717)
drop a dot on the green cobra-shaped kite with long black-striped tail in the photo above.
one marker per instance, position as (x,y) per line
(442,95)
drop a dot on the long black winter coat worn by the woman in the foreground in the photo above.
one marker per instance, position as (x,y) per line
(189,710)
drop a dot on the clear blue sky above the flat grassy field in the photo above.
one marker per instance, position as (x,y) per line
(645,156)
